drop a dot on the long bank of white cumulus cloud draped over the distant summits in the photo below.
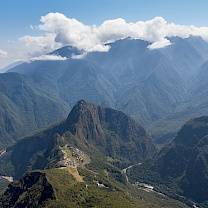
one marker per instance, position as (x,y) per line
(60,30)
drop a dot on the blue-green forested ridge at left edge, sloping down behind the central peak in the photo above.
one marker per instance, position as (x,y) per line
(25,108)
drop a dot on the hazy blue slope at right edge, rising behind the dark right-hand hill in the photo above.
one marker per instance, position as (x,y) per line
(194,104)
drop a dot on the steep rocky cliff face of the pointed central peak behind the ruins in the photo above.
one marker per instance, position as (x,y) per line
(110,132)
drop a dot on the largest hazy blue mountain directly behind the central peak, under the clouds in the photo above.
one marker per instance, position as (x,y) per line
(122,77)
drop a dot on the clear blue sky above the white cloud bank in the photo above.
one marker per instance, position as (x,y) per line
(17,17)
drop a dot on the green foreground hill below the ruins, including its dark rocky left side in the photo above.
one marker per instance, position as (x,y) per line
(58,188)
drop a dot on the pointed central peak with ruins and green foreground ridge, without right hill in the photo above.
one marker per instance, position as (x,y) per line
(81,158)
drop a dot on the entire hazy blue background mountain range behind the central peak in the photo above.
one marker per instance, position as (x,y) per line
(161,89)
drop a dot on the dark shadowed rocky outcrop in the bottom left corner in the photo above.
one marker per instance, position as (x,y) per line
(33,190)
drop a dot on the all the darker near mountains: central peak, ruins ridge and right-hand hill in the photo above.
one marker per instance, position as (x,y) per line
(97,148)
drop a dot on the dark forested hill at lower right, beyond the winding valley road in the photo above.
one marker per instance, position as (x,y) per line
(181,167)
